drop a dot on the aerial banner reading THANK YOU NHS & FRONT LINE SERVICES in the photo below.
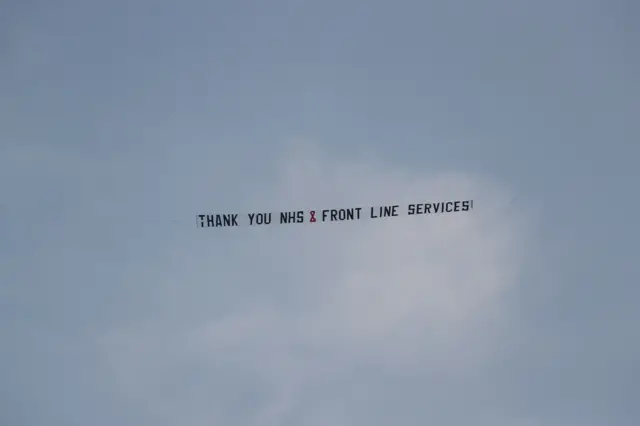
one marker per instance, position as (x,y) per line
(217,220)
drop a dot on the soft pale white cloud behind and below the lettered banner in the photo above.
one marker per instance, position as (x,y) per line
(409,295)
